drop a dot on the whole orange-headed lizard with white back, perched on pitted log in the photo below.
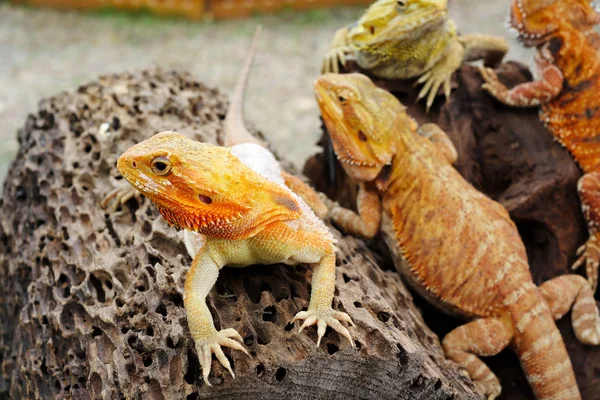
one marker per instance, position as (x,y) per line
(237,200)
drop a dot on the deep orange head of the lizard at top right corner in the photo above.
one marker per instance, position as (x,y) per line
(536,21)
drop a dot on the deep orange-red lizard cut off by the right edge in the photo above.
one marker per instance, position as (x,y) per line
(567,93)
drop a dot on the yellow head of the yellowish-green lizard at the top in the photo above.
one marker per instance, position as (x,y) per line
(399,19)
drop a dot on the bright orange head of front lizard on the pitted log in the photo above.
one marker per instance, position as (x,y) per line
(204,188)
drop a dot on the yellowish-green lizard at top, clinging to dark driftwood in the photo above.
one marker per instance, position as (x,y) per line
(402,39)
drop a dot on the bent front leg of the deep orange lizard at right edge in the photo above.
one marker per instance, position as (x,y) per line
(529,94)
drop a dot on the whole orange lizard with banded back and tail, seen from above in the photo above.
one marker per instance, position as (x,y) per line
(456,246)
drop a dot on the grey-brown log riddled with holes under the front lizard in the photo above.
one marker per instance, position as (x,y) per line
(91,303)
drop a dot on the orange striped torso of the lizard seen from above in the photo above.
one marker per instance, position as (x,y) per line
(461,247)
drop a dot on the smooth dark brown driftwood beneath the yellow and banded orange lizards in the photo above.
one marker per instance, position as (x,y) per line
(509,155)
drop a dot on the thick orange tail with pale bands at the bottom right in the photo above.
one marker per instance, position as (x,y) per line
(543,354)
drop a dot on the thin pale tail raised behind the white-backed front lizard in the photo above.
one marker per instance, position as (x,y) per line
(235,129)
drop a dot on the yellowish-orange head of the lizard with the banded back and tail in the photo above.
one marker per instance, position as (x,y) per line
(362,120)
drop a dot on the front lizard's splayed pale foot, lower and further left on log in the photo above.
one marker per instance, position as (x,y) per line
(212,344)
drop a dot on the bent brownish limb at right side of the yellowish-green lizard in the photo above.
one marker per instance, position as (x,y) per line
(490,49)
